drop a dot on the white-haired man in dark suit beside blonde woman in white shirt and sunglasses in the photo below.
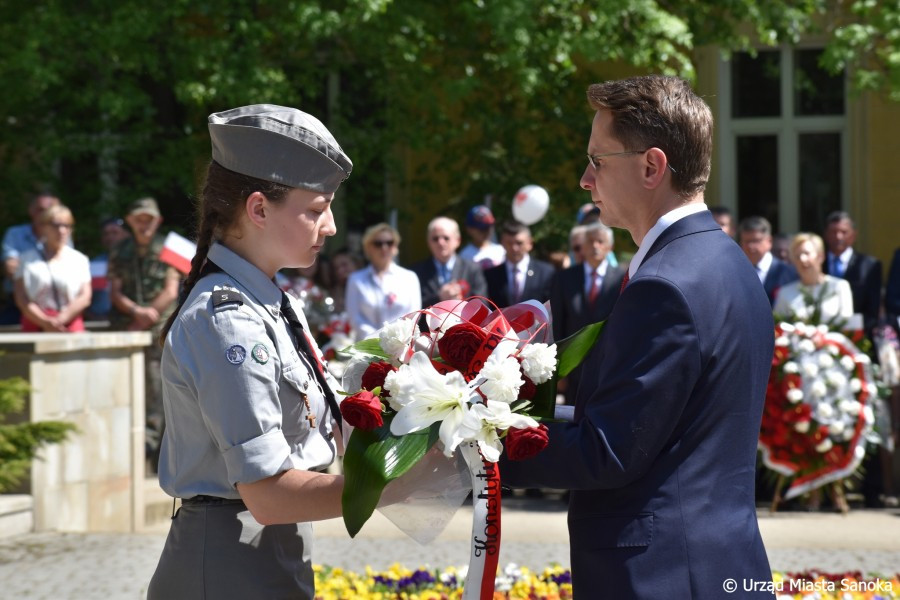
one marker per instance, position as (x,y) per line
(446,275)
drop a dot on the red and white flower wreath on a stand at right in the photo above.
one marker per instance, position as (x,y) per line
(818,414)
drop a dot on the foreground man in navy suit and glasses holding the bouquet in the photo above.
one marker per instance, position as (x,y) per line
(661,457)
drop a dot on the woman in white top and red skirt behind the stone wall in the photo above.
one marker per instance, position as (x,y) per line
(53,283)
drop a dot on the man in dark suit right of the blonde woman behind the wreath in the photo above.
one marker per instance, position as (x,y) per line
(862,272)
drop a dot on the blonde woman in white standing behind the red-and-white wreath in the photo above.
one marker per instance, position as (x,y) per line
(816,298)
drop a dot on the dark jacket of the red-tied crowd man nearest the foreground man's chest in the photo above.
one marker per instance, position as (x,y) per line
(572,311)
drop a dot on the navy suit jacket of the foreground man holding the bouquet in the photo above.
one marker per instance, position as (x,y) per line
(661,458)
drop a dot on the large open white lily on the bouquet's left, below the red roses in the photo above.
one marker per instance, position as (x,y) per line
(421,396)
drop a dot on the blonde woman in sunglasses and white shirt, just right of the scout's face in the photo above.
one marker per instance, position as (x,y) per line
(383,291)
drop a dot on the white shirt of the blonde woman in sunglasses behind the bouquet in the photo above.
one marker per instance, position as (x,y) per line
(372,300)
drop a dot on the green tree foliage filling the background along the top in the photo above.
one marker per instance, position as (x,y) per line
(438,103)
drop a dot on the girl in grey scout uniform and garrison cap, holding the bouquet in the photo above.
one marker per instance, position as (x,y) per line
(248,405)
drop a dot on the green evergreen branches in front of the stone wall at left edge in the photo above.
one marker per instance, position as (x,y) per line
(19,443)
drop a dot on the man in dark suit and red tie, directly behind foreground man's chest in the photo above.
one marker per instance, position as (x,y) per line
(585,293)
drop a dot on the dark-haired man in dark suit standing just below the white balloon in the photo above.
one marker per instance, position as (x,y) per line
(520,277)
